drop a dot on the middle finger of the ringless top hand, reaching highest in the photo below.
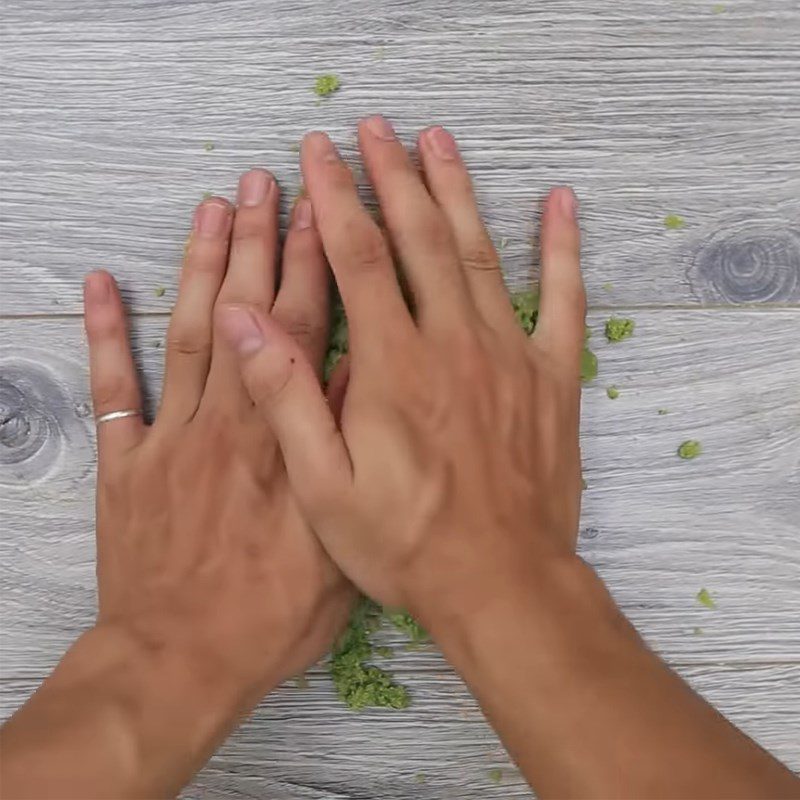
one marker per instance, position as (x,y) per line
(417,227)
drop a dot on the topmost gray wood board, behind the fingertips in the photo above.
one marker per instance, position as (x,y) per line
(646,107)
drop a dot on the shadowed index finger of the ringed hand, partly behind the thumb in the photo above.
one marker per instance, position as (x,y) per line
(302,306)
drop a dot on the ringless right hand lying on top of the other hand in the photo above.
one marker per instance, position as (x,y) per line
(456,467)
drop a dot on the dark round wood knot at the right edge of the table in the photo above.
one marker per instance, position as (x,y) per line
(753,262)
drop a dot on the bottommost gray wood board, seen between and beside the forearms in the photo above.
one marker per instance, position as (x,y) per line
(304,744)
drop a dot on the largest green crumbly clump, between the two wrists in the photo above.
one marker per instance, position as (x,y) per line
(358,683)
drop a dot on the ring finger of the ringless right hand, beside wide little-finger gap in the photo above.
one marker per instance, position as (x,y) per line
(451,186)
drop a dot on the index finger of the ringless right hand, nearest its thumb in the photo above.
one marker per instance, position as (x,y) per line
(356,250)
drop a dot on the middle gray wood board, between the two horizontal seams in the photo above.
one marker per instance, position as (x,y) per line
(656,527)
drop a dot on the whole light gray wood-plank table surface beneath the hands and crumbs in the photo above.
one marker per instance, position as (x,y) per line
(647,107)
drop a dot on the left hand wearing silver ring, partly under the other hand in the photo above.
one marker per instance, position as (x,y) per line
(202,552)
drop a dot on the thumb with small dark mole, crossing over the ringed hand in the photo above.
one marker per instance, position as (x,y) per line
(285,389)
